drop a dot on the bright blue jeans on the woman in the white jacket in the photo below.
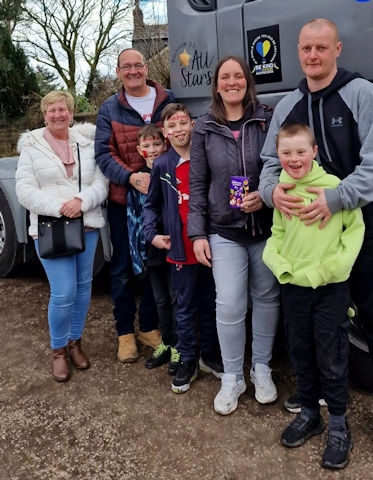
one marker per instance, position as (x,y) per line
(70,282)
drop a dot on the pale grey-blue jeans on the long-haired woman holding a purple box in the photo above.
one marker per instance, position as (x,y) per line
(239,271)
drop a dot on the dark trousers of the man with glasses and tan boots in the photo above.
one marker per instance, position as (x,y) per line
(122,279)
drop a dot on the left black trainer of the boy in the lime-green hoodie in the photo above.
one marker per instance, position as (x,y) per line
(300,430)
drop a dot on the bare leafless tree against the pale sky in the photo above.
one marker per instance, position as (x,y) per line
(72,37)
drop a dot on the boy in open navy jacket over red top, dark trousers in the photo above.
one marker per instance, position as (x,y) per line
(168,198)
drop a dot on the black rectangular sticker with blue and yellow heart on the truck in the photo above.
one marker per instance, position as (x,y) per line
(264,54)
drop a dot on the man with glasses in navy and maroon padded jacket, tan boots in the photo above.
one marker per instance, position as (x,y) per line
(138,101)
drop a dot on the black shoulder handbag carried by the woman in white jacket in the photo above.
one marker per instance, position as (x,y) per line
(61,236)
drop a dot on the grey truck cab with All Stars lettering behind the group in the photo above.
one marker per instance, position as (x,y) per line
(265,33)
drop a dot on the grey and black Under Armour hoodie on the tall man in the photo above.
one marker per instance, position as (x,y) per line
(341,117)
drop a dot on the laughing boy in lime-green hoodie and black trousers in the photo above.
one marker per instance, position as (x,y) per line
(312,266)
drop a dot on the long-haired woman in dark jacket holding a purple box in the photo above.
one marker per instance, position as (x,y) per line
(229,224)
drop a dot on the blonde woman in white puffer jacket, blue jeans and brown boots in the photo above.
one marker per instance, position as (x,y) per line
(47,184)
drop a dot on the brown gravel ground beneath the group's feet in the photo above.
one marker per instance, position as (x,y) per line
(122,422)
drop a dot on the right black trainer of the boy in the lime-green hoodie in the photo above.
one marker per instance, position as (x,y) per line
(338,449)
